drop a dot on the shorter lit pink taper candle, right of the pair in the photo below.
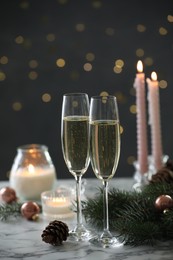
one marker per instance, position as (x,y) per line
(154,120)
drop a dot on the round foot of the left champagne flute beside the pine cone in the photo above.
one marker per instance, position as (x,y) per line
(81,234)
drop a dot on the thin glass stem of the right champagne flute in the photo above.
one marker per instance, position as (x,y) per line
(105,206)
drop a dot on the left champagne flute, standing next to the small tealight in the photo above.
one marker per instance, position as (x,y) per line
(75,147)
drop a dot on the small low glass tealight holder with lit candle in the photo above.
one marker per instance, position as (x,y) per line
(57,204)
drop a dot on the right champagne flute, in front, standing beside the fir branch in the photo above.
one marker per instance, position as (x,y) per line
(104,154)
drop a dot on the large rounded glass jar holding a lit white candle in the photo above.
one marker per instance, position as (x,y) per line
(32,172)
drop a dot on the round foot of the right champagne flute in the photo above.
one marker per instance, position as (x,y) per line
(108,242)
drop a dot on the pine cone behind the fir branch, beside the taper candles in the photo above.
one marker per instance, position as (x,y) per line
(163,175)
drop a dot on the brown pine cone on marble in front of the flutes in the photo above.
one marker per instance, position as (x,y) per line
(55,233)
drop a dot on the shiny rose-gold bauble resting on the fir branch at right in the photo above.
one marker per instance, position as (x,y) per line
(164,202)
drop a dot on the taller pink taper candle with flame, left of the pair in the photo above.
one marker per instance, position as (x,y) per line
(142,149)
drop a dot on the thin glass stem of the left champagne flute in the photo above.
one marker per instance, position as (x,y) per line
(78,200)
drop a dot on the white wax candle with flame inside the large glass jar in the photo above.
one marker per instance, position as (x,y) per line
(30,181)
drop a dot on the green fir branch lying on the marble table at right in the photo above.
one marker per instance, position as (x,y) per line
(133,215)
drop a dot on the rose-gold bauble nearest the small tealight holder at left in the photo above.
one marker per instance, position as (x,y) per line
(30,210)
